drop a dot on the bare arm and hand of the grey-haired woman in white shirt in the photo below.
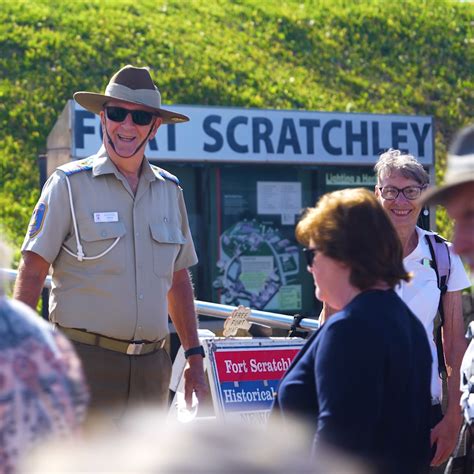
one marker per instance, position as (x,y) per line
(445,433)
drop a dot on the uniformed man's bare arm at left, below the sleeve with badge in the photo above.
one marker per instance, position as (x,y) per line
(32,272)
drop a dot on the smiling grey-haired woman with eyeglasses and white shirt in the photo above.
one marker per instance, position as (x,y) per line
(401,180)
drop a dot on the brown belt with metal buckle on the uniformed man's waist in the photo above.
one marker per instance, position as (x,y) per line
(117,345)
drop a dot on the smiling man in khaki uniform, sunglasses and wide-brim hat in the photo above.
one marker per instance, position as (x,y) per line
(115,231)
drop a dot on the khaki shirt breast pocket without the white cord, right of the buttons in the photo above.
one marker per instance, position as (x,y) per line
(166,243)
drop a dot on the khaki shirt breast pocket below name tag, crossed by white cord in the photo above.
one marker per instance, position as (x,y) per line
(103,247)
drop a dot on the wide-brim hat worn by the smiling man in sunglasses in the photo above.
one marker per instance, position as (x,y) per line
(130,84)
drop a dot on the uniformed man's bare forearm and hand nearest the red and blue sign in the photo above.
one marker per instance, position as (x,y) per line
(183,315)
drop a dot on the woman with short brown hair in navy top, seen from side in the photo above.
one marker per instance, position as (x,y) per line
(363,379)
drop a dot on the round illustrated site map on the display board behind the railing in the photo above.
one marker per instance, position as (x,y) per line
(258,267)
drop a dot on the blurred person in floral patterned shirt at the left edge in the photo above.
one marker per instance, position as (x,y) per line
(42,389)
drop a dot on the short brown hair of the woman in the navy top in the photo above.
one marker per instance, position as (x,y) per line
(352,227)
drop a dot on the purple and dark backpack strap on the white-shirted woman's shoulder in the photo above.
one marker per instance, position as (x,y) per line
(441,264)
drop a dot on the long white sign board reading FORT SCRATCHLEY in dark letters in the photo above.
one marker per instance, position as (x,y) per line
(223,134)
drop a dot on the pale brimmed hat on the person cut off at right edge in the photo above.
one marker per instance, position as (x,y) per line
(460,168)
